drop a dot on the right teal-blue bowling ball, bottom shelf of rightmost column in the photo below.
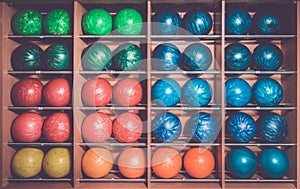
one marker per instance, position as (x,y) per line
(273,162)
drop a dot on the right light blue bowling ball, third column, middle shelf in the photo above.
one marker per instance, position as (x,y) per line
(197,92)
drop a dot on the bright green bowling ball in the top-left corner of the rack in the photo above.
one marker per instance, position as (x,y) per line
(27,22)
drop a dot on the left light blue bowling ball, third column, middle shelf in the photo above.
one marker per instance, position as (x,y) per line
(166,92)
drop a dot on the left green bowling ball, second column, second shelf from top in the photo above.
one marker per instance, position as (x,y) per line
(96,57)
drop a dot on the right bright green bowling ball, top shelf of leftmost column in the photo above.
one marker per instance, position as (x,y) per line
(57,22)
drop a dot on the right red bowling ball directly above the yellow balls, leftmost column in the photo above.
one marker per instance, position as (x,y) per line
(57,127)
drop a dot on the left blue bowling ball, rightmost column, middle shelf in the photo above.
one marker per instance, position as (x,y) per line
(238,92)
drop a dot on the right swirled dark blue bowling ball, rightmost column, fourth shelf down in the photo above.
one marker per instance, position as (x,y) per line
(272,127)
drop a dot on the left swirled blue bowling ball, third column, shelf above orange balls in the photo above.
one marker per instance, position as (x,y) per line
(166,127)
